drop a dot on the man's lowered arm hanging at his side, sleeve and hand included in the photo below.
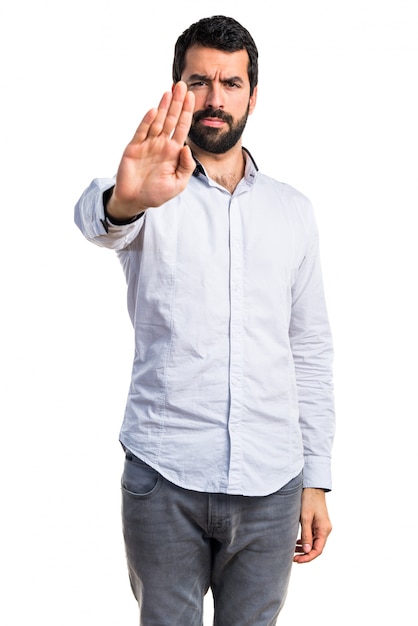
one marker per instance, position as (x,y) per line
(312,350)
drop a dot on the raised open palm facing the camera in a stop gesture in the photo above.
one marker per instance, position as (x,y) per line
(156,165)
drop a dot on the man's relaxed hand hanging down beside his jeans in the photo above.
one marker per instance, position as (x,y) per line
(315,526)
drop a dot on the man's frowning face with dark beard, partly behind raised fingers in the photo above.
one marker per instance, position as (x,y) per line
(219,81)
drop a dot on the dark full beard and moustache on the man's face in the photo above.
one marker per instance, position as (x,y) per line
(216,140)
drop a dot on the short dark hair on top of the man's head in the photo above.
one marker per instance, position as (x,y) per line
(222,33)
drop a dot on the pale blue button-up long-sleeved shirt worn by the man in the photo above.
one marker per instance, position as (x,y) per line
(231,386)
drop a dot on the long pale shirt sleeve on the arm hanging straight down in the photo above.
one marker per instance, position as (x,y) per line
(312,349)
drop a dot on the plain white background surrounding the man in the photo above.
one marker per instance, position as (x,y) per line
(336,118)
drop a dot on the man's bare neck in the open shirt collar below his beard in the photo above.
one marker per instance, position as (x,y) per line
(226,169)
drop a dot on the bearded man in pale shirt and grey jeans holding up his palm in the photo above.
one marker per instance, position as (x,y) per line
(229,420)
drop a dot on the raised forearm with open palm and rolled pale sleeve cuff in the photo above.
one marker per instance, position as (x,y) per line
(155,167)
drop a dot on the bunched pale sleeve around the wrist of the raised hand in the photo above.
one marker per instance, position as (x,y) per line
(90,217)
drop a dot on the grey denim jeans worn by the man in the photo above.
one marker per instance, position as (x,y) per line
(180,543)
